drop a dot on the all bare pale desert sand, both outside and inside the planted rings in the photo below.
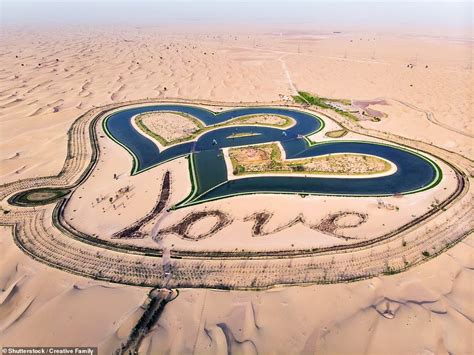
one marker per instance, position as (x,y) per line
(49,78)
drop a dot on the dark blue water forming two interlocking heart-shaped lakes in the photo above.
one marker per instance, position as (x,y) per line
(413,171)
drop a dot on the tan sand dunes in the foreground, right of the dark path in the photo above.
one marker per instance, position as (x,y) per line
(413,312)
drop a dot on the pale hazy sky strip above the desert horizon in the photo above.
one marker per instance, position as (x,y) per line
(344,13)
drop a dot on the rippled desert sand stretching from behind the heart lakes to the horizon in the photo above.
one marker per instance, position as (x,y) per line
(173,65)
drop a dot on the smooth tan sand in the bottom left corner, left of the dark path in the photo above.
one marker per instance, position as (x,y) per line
(51,302)
